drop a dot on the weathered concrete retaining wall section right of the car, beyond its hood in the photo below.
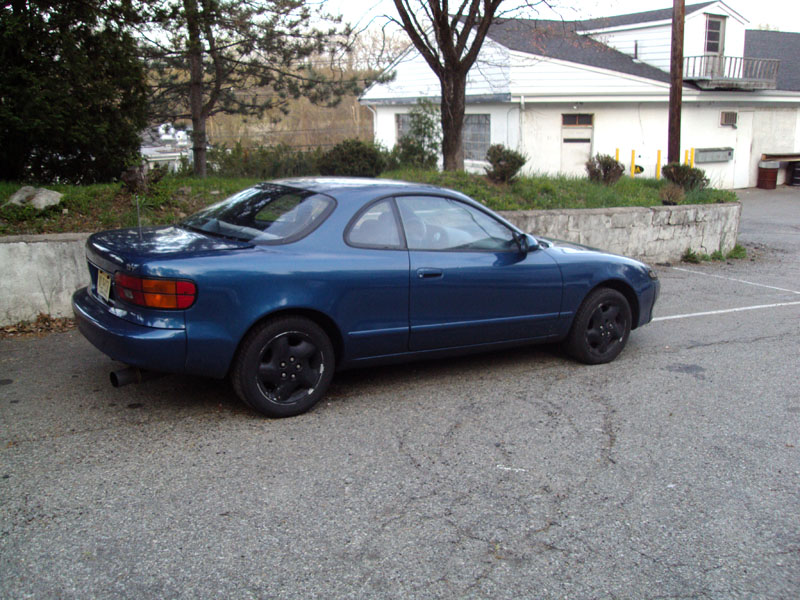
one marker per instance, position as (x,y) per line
(656,234)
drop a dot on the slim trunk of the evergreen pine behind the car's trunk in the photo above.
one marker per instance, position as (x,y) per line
(195,55)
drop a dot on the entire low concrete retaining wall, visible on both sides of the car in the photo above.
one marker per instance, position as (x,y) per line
(40,272)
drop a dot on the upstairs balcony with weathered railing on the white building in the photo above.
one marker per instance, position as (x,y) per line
(731,72)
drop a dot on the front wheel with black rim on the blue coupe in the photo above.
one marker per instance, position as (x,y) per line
(601,327)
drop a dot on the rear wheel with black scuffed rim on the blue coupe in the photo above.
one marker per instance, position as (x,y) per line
(283,367)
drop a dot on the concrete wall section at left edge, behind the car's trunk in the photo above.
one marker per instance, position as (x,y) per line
(39,274)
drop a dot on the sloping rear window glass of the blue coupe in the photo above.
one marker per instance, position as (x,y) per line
(265,213)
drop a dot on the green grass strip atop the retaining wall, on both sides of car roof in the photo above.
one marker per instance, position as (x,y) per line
(108,206)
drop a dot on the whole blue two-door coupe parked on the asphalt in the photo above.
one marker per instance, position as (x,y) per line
(284,283)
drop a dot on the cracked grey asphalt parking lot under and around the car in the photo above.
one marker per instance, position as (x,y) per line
(673,472)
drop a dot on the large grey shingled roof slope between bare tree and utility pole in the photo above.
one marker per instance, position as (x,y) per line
(559,40)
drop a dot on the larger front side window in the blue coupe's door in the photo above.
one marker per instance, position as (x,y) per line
(438,223)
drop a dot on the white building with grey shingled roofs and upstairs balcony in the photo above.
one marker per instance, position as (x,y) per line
(563,91)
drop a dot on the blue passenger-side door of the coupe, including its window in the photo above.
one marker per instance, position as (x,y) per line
(470,281)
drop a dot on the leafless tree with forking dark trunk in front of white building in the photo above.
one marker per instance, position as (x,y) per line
(449,39)
